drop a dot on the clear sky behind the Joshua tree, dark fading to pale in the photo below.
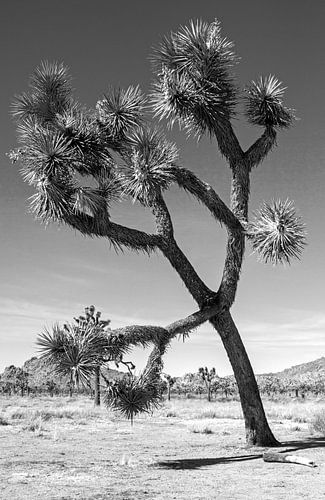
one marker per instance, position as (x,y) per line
(50,274)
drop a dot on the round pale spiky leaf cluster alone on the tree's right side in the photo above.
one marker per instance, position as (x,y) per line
(277,234)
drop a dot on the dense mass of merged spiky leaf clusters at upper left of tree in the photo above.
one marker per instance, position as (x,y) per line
(110,146)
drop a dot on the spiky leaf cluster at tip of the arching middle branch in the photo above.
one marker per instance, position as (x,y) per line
(149,160)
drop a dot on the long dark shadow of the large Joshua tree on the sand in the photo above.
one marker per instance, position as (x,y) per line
(197,463)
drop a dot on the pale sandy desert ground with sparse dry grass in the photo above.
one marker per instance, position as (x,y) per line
(94,455)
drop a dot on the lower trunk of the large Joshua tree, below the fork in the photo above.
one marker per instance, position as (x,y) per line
(258,432)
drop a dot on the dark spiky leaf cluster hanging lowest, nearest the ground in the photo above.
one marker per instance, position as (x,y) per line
(131,396)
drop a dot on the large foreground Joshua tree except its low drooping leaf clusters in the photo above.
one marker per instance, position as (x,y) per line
(121,156)
